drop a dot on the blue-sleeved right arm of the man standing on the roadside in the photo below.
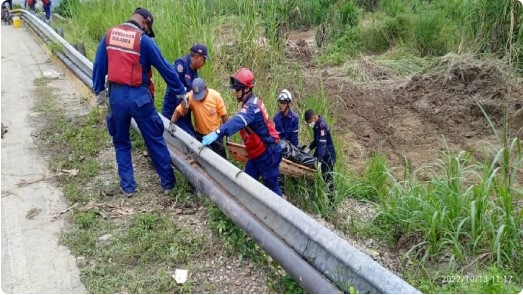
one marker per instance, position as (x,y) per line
(154,56)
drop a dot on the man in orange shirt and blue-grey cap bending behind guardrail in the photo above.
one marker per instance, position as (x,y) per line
(208,110)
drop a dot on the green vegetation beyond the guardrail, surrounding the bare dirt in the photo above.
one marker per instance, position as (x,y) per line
(468,213)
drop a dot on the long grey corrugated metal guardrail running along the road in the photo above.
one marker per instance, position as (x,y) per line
(317,258)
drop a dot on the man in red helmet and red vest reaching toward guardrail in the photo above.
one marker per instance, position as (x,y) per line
(257,131)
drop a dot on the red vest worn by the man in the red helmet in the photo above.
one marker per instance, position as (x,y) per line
(254,144)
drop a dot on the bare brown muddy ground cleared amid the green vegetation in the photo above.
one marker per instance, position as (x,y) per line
(411,117)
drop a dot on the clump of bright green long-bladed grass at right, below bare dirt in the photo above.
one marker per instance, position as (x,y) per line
(466,209)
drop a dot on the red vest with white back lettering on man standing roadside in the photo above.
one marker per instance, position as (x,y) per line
(123,54)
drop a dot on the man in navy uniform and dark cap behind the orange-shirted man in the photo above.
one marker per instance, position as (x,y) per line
(187,69)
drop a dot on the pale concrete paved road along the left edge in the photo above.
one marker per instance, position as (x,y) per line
(32,259)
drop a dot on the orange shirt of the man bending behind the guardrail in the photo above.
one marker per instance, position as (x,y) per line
(207,113)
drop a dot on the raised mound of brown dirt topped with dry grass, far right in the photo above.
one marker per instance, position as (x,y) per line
(454,89)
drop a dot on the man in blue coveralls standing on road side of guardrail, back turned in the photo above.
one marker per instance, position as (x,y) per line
(125,54)
